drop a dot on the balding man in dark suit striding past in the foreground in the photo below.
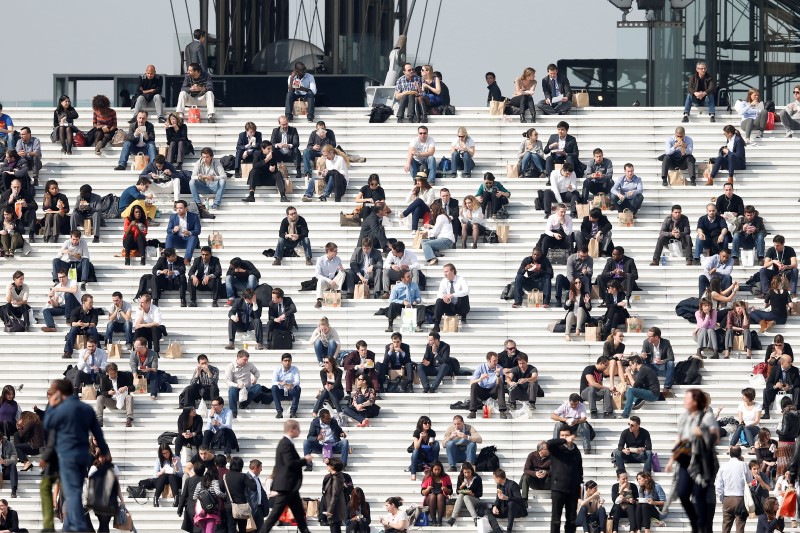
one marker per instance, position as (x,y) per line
(287,480)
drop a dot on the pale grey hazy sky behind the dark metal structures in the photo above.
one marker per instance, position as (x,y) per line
(473,36)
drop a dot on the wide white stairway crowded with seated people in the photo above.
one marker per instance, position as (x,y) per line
(379,454)
